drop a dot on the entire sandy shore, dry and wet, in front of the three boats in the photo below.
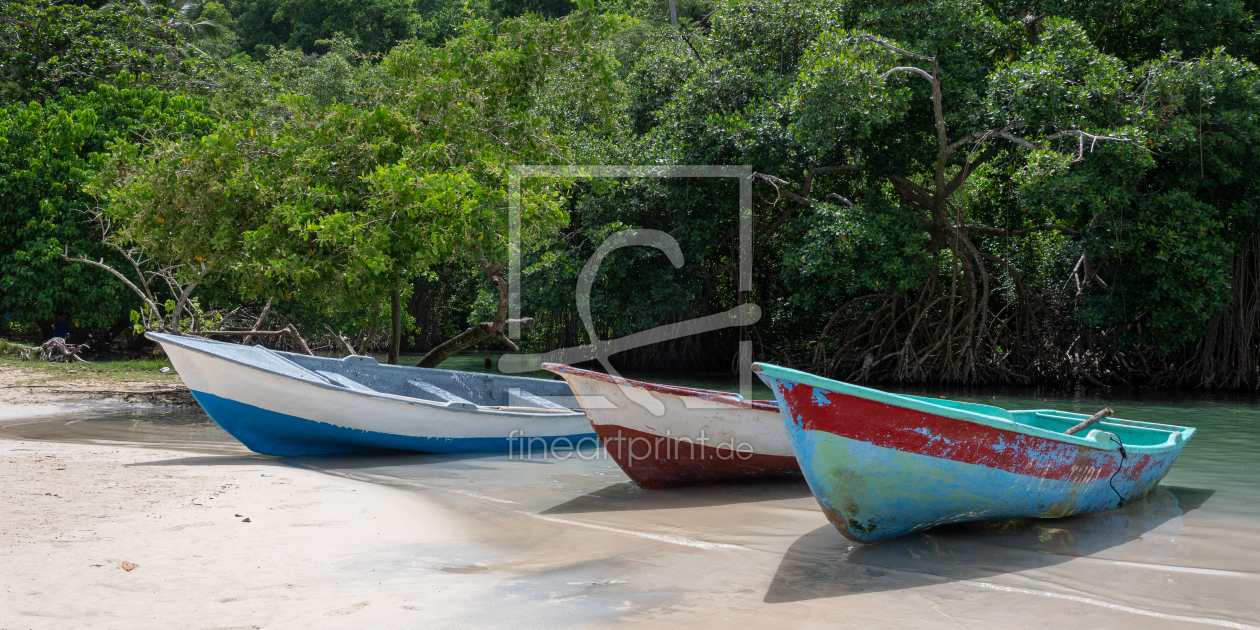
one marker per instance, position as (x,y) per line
(405,540)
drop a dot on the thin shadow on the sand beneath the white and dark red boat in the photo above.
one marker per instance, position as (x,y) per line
(627,497)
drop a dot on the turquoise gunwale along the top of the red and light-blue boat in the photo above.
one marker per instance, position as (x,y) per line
(925,406)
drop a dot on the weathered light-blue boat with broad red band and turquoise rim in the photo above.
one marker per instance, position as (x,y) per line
(885,466)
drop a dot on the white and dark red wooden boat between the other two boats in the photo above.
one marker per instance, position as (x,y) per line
(667,437)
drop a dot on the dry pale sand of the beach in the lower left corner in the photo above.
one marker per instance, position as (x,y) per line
(115,537)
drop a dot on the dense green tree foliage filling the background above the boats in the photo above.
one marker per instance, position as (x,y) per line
(351,148)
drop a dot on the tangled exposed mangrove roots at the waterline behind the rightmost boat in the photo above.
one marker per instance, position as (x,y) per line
(958,331)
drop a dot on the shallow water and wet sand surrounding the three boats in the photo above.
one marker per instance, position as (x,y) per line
(570,541)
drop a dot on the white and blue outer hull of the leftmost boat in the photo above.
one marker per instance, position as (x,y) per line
(278,415)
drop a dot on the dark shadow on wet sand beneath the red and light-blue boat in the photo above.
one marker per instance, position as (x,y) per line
(823,564)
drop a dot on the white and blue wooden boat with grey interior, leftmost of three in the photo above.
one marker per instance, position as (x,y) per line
(284,404)
